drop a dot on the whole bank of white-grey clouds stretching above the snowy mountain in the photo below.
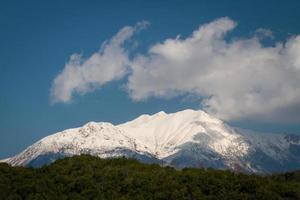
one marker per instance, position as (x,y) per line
(235,78)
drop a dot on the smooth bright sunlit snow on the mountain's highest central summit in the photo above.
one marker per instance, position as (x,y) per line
(162,132)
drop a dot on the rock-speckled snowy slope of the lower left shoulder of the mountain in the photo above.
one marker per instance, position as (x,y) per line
(101,139)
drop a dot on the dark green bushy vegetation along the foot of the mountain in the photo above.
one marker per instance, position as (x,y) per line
(87,177)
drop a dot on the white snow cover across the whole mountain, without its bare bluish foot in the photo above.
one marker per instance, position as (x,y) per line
(160,135)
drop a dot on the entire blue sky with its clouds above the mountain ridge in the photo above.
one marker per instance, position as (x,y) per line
(64,63)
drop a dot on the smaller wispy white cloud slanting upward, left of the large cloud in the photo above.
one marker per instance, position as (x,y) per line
(84,75)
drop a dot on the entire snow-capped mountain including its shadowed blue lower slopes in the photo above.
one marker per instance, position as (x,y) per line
(183,139)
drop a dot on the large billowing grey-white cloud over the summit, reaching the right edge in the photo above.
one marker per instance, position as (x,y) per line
(237,79)
